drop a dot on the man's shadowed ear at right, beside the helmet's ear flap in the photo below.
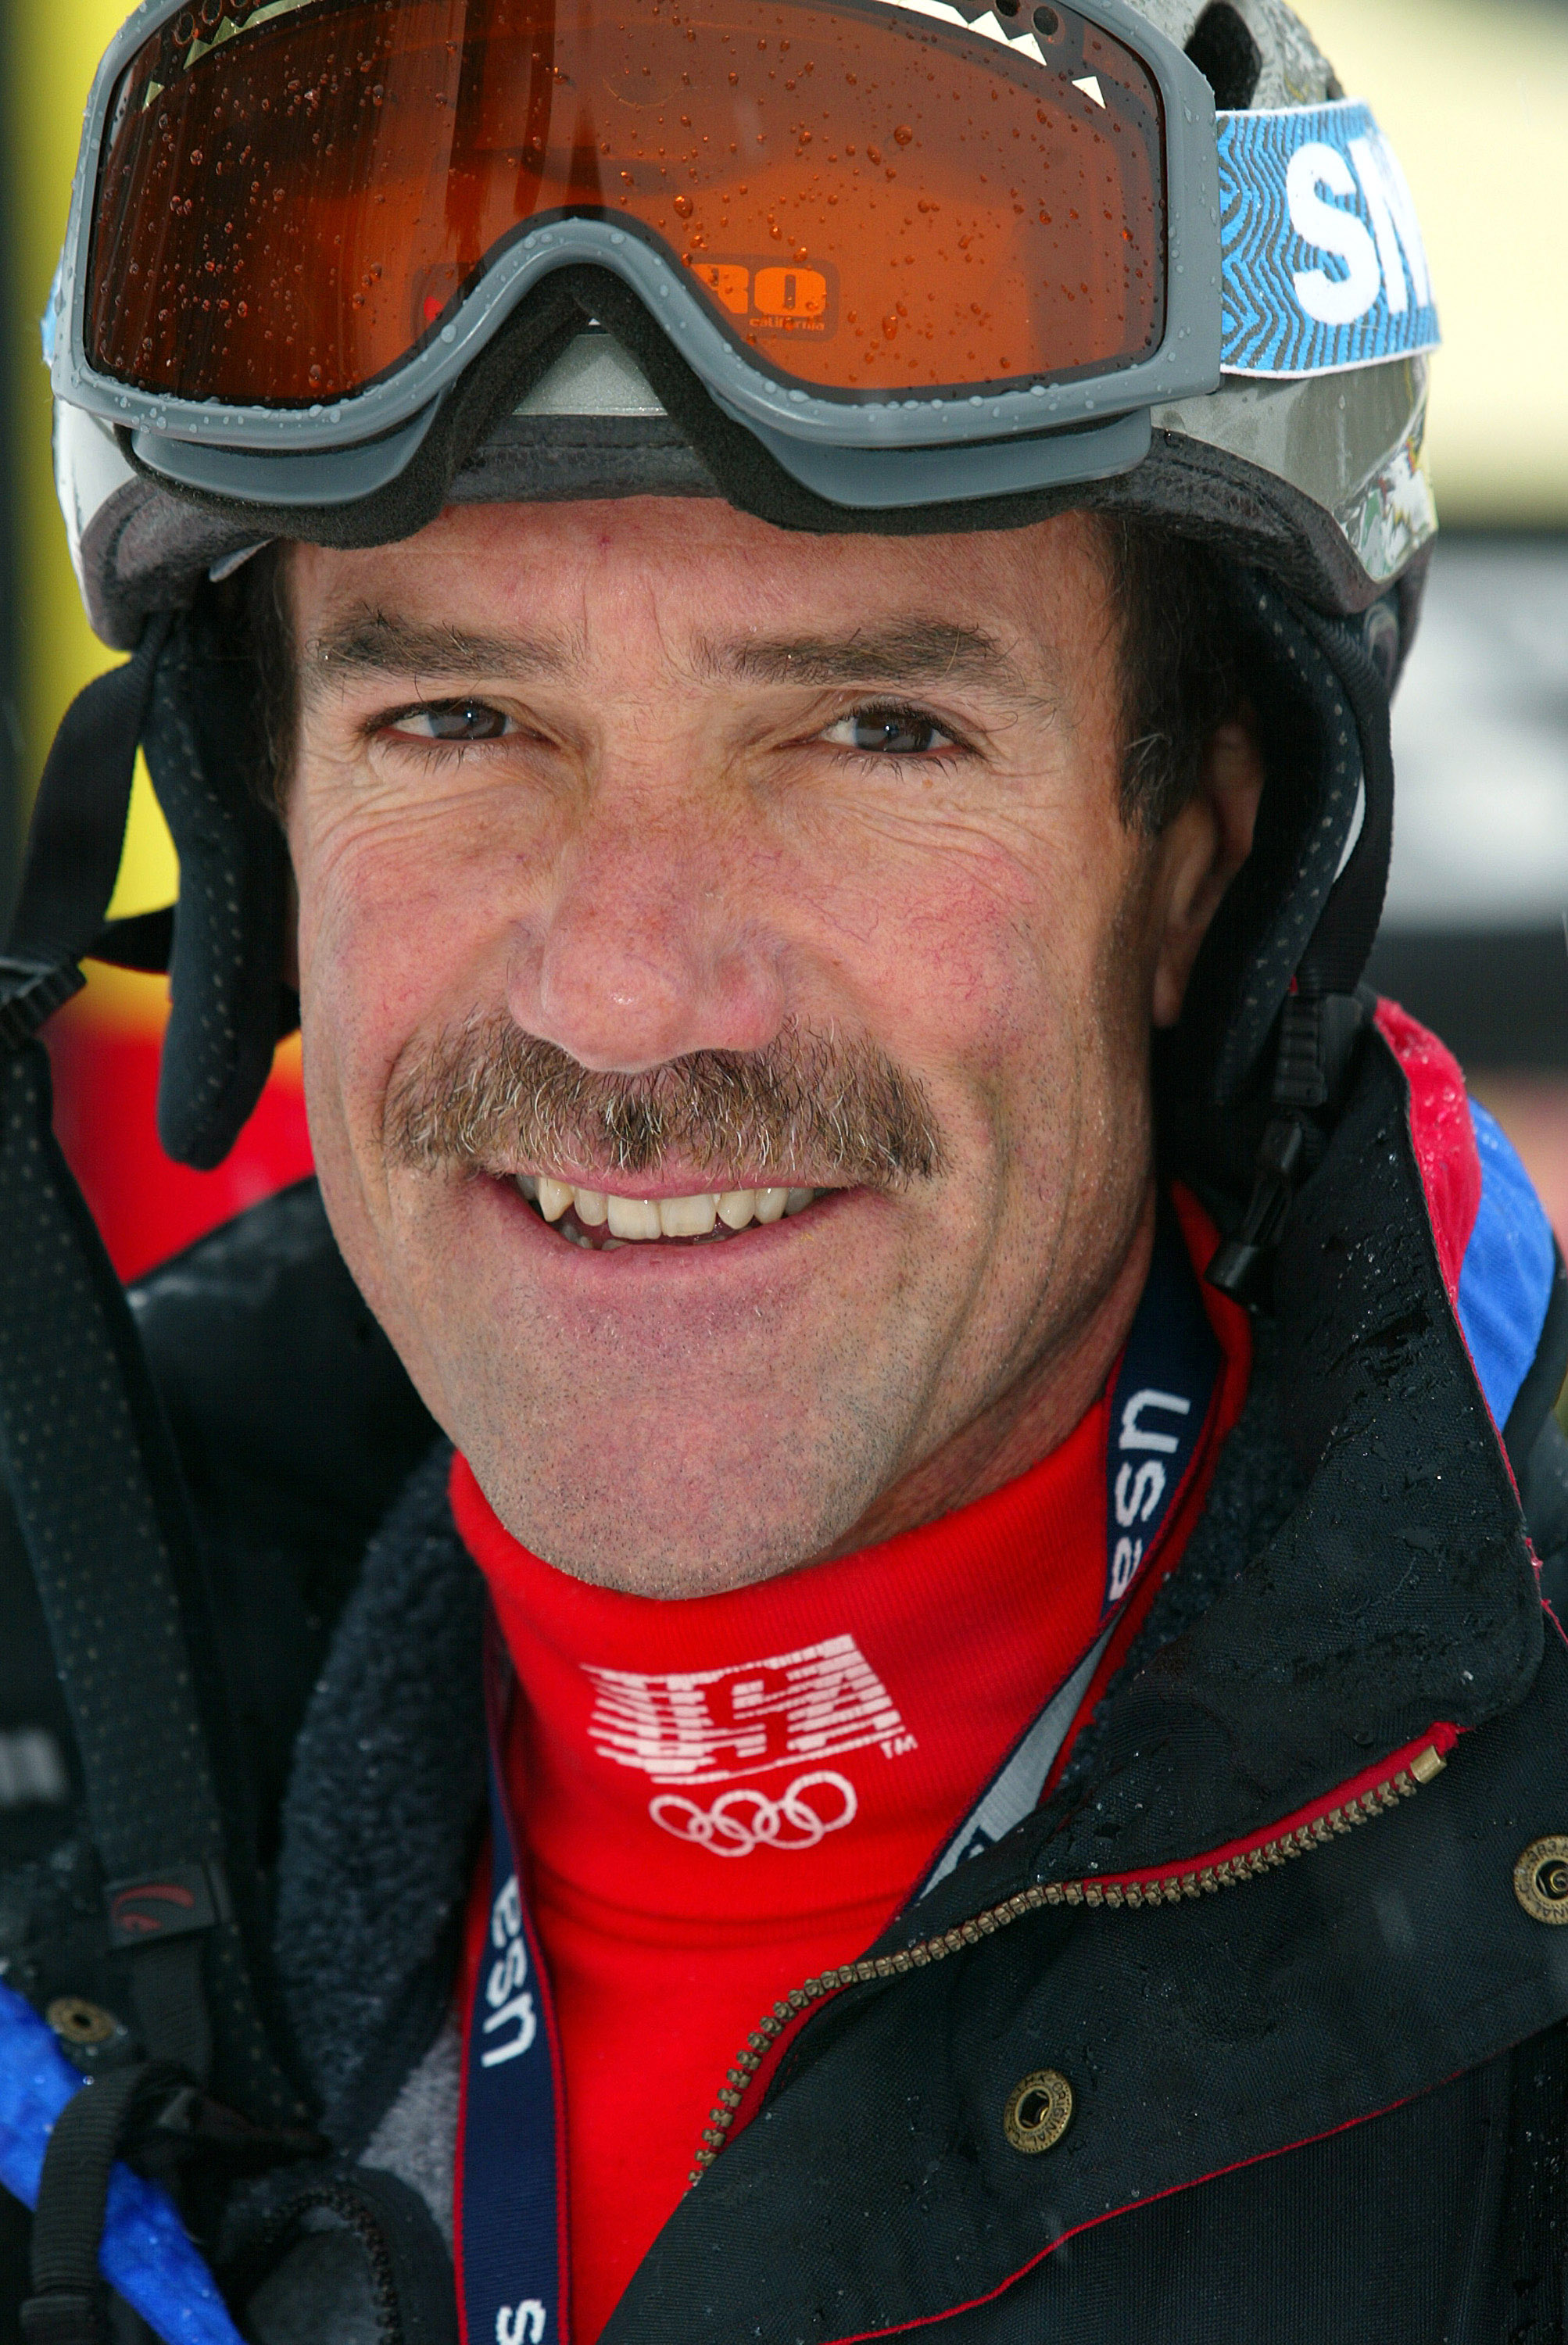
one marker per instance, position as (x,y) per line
(1201,852)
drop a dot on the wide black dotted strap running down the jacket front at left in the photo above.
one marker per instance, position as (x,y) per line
(102,1511)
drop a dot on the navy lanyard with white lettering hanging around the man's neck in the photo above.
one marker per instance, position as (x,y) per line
(512,2203)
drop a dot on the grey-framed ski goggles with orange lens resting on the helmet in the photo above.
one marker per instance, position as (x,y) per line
(871,229)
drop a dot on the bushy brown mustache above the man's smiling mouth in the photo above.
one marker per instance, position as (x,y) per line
(833,1113)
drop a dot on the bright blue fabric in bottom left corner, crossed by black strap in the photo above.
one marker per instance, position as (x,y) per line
(146,2252)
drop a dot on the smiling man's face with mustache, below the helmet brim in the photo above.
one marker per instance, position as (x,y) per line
(662,855)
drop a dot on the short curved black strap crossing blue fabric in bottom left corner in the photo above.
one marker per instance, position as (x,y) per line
(74,2196)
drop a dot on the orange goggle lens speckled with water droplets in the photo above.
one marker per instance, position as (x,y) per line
(871,203)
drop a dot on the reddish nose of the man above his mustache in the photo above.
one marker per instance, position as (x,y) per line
(648,953)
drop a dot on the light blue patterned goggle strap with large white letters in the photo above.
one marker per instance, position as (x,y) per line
(1323,257)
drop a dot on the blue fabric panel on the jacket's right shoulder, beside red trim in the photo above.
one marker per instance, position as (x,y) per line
(1506,1279)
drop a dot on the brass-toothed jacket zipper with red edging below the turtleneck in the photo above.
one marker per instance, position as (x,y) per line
(1166,1884)
